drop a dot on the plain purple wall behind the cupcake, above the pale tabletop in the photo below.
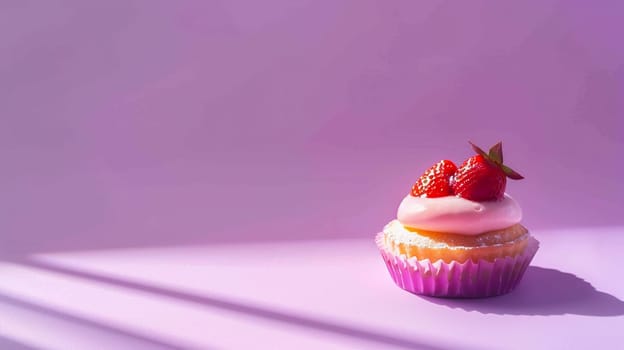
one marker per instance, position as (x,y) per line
(157,123)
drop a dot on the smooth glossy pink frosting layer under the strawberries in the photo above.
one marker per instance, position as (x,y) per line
(458,215)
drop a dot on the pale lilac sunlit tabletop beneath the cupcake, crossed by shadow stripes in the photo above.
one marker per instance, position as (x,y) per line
(313,294)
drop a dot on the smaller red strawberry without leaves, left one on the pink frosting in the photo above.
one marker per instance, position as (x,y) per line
(435,182)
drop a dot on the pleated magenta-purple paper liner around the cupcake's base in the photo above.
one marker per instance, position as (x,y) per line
(471,279)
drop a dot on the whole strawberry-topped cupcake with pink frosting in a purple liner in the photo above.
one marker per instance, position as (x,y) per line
(457,233)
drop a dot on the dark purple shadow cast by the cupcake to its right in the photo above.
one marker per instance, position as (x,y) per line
(544,292)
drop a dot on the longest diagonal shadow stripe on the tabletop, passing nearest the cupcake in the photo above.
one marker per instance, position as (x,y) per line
(242,308)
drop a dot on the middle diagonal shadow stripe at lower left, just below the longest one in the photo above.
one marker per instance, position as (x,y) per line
(157,344)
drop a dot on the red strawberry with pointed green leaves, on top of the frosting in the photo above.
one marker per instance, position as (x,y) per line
(483,177)
